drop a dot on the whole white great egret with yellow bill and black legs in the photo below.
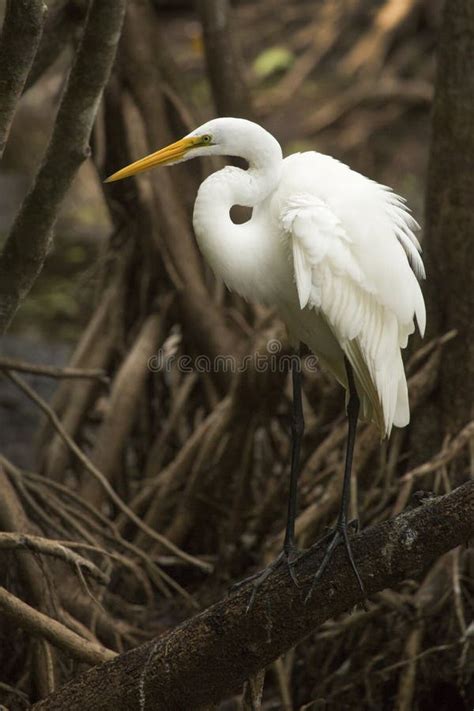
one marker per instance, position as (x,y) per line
(334,252)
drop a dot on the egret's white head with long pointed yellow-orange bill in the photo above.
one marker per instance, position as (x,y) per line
(222,136)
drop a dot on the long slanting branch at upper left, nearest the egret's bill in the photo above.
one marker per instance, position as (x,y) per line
(30,237)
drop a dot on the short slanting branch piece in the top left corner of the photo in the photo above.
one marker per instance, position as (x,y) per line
(21,34)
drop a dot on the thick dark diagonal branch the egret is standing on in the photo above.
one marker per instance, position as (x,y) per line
(211,655)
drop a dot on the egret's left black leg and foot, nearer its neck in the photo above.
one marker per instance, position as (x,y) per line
(289,554)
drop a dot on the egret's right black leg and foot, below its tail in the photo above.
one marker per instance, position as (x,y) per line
(340,533)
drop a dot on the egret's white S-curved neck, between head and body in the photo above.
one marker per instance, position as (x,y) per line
(232,250)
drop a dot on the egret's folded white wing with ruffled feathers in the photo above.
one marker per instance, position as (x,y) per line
(354,269)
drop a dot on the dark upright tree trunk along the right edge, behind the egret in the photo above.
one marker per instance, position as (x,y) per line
(449,244)
